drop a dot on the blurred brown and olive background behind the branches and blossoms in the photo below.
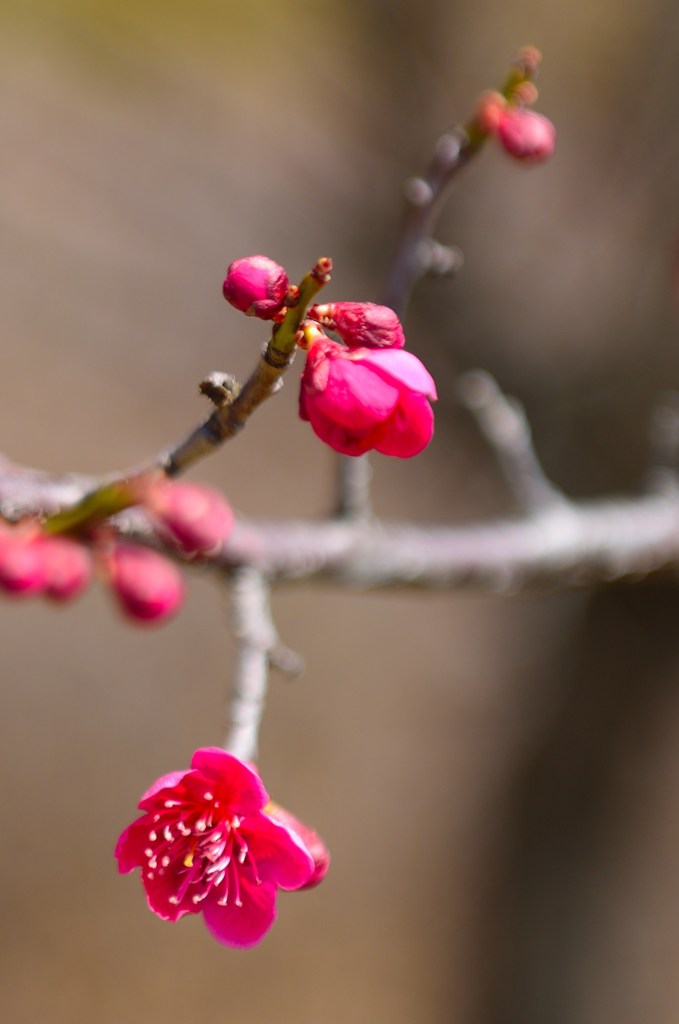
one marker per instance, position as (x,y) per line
(497,778)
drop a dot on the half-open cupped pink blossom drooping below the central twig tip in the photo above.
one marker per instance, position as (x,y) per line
(363,399)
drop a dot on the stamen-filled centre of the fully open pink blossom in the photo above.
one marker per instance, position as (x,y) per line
(202,849)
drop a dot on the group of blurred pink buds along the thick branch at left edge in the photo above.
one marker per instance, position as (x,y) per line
(148,587)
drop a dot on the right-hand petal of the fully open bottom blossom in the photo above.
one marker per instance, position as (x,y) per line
(280,854)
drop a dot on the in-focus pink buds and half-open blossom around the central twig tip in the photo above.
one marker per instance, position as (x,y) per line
(364,394)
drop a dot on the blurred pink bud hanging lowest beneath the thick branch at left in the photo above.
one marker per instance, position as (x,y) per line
(148,587)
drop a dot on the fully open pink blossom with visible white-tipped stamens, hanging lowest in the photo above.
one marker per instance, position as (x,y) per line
(204,845)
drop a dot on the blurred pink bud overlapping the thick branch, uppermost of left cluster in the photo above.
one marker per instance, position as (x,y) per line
(198,518)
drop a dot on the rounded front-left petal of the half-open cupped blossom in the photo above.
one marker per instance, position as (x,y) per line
(355,397)
